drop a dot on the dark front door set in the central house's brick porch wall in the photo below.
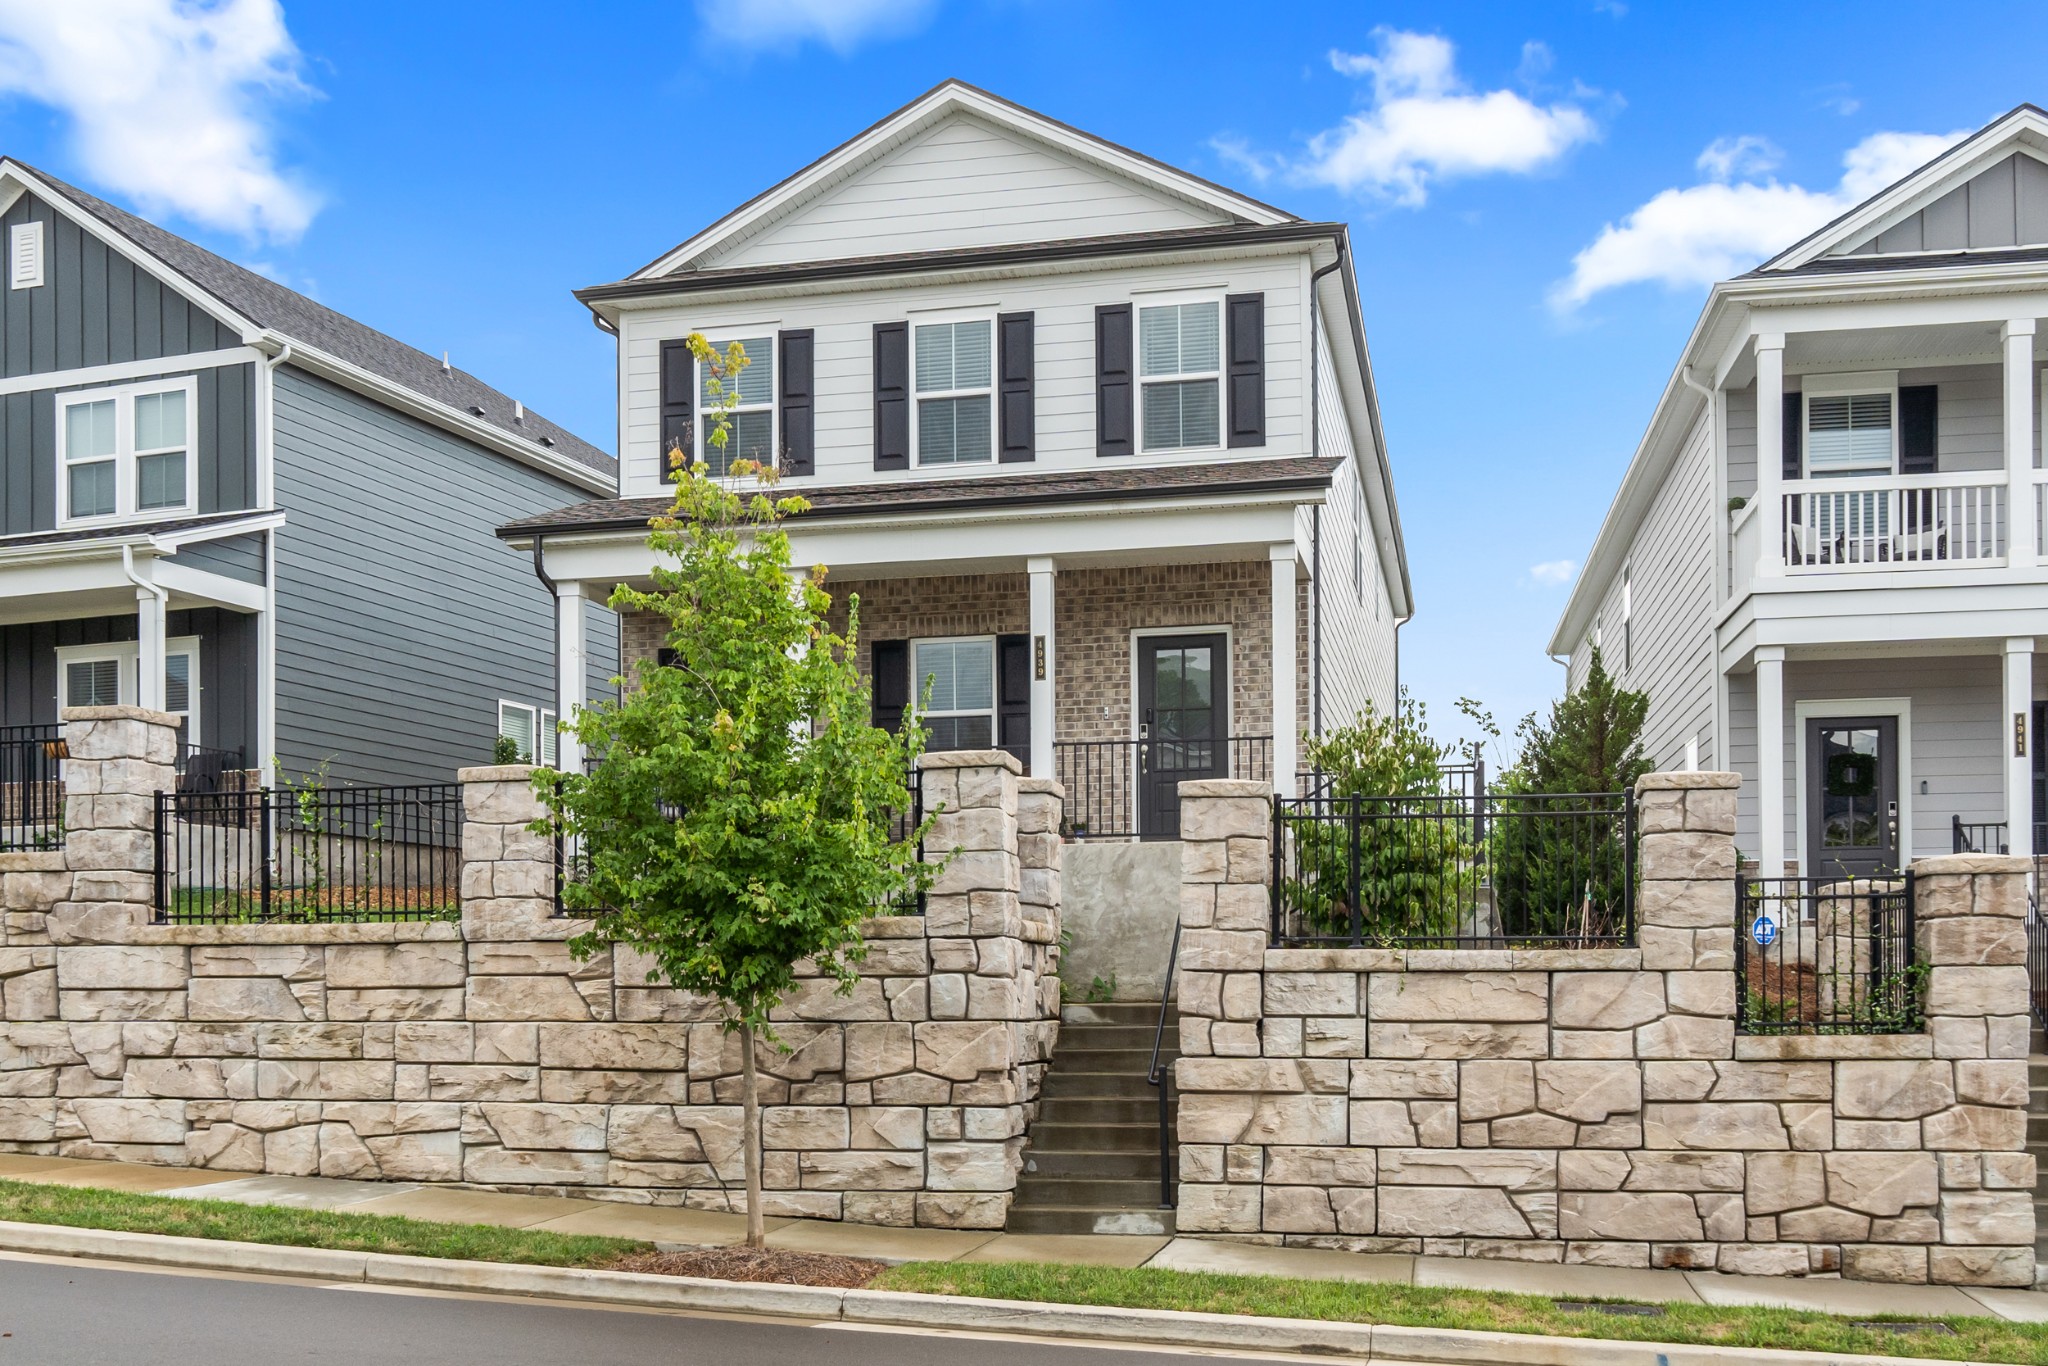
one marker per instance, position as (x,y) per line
(1181,724)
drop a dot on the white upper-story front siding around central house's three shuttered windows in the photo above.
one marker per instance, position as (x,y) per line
(1064,308)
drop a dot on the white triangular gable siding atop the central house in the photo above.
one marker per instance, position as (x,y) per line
(962,185)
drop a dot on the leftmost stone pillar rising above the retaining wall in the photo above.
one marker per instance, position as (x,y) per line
(118,761)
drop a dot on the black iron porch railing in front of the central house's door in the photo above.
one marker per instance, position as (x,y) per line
(1123,789)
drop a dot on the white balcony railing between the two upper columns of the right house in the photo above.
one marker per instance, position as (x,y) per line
(1895,523)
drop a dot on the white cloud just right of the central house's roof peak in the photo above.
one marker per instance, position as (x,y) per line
(1424,126)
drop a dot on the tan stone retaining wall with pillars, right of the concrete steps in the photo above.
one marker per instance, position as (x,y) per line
(1598,1105)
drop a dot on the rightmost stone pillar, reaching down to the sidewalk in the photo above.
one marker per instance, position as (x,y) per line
(1971,935)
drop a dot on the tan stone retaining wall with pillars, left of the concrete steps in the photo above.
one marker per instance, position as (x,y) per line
(482,1054)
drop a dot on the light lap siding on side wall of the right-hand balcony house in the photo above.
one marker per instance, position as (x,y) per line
(1672,599)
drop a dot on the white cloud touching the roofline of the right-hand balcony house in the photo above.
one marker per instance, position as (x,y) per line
(1709,232)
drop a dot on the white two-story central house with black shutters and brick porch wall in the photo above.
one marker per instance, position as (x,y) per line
(1093,439)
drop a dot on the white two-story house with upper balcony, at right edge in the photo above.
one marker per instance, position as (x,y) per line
(1826,562)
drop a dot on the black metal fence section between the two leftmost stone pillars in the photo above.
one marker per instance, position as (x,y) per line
(310,855)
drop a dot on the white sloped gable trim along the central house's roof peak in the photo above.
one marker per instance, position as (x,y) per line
(921,116)
